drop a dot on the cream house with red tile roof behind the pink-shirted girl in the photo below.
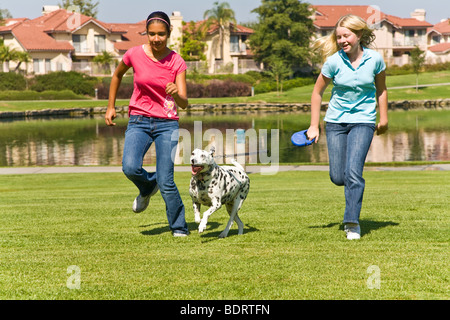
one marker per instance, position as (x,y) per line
(60,40)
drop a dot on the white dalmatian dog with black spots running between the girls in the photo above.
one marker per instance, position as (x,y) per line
(213,185)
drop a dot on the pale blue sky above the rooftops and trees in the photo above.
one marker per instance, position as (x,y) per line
(131,11)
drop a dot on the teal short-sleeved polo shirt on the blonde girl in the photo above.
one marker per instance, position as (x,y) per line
(353,98)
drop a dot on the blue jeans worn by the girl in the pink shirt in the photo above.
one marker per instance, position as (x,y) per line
(140,134)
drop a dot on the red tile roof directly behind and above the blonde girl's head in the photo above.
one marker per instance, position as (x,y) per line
(328,16)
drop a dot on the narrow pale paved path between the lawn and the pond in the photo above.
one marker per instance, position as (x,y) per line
(250,169)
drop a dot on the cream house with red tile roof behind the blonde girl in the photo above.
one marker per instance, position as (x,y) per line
(395,36)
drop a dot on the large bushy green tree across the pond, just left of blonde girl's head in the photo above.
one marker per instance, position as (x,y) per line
(283,33)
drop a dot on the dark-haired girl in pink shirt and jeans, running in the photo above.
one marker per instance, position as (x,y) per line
(159,89)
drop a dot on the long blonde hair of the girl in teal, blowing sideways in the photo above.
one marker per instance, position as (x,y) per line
(327,46)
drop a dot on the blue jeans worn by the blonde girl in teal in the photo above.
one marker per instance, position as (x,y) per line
(348,145)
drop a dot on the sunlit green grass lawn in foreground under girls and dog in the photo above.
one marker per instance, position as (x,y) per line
(293,246)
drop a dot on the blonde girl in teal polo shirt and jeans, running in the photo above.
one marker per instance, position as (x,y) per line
(359,79)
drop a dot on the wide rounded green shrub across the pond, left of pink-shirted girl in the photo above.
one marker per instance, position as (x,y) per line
(79,83)
